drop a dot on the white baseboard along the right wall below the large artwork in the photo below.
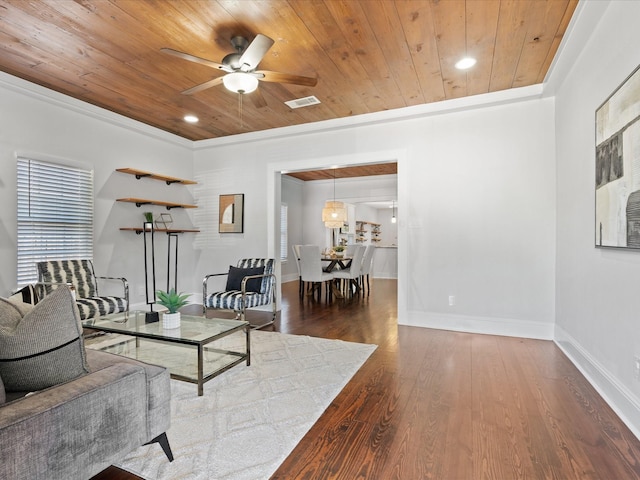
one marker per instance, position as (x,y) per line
(625,403)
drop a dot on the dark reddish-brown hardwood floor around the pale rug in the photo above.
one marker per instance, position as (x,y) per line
(431,404)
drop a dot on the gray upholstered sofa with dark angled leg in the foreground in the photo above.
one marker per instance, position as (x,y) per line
(77,429)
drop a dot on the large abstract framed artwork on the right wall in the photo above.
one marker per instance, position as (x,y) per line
(617,215)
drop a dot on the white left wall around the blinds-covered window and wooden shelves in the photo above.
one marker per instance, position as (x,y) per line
(41,123)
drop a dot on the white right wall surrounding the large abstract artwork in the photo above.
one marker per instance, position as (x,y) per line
(598,304)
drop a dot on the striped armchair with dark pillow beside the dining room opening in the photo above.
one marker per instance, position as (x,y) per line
(251,284)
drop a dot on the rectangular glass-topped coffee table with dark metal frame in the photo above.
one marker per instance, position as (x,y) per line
(197,351)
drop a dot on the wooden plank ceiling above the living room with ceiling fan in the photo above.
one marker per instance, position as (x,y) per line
(368,55)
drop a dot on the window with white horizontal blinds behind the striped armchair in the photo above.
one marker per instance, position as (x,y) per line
(55,215)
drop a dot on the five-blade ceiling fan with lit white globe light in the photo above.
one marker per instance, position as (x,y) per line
(240,67)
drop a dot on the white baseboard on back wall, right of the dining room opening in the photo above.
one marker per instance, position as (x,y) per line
(484,325)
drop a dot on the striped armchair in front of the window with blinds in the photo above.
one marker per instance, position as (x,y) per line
(80,274)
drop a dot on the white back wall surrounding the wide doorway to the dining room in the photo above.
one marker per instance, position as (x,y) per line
(476,193)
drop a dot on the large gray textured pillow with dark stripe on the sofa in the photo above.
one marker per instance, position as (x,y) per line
(41,347)
